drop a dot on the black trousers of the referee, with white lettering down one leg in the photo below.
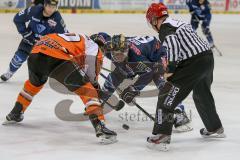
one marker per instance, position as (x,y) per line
(194,74)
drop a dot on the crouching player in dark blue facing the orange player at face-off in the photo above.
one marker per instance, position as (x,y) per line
(138,56)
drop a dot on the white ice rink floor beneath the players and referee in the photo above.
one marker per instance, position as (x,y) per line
(43,136)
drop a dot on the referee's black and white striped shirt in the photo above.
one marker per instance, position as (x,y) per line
(180,40)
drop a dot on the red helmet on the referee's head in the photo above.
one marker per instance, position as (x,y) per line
(156,10)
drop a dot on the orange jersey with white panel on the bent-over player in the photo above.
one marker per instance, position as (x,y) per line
(74,47)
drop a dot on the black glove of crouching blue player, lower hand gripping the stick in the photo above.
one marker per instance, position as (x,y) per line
(129,94)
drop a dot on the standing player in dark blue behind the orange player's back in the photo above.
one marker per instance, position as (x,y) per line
(42,20)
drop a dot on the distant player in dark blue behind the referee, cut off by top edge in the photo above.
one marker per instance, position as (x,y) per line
(201,12)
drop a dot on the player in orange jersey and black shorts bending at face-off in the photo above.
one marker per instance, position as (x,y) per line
(73,60)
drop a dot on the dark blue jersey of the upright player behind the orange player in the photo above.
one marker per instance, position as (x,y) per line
(37,23)
